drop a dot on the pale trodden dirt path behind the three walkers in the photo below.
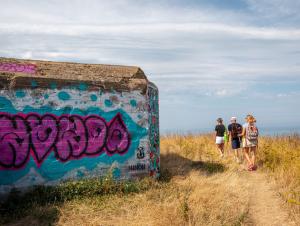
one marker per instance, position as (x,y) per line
(265,205)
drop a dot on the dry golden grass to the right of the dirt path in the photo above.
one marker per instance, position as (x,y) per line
(280,156)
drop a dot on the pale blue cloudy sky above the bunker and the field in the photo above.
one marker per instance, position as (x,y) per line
(209,58)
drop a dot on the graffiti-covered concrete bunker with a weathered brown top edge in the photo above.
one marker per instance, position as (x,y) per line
(61,121)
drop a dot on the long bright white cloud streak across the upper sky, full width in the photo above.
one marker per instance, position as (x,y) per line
(155,29)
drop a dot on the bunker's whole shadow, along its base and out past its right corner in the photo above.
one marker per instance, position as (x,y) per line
(40,206)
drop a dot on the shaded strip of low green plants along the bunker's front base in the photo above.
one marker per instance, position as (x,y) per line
(40,205)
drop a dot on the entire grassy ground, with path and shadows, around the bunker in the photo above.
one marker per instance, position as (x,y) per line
(196,188)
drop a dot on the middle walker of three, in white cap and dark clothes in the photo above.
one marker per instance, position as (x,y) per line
(235,129)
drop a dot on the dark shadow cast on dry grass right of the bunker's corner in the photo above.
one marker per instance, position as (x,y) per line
(175,165)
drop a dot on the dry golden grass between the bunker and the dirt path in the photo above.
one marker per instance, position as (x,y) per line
(196,194)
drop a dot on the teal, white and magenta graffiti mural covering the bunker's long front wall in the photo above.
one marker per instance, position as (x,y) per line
(50,135)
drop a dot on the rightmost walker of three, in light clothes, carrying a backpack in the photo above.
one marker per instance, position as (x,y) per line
(250,141)
